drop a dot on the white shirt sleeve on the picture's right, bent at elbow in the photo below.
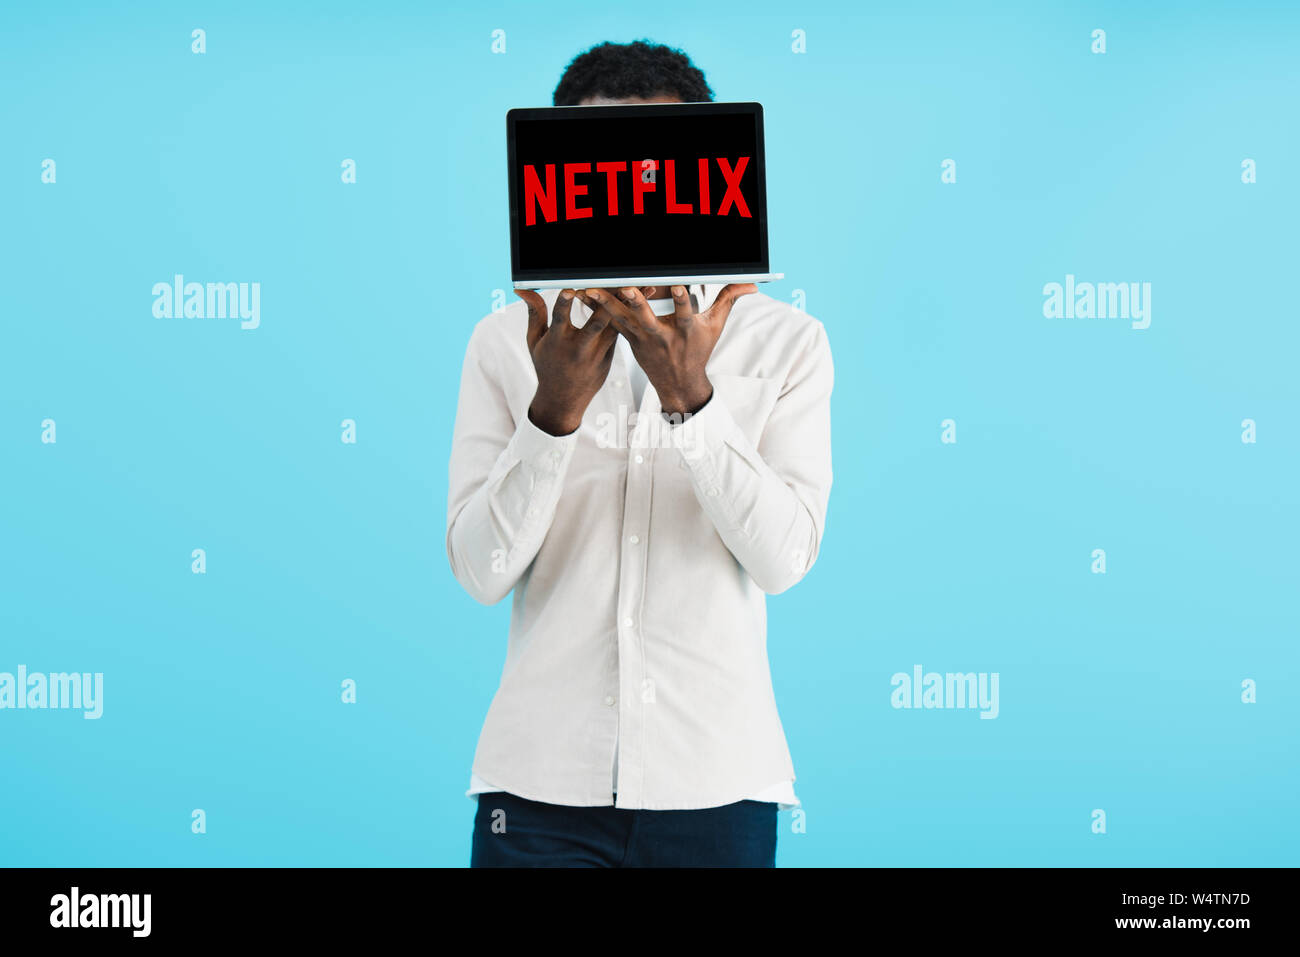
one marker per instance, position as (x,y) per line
(769,503)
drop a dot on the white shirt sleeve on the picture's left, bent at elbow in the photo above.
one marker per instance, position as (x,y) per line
(505,480)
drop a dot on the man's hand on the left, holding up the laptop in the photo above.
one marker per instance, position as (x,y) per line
(571,363)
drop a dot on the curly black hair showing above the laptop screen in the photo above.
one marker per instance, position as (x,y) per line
(632,70)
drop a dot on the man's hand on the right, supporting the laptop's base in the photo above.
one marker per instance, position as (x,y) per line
(673,350)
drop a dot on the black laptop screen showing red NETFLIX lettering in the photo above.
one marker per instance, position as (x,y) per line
(647,190)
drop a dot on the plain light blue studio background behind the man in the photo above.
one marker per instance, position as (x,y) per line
(327,561)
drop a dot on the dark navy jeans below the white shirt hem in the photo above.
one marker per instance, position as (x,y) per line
(514,833)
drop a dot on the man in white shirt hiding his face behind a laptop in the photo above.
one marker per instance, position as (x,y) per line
(640,483)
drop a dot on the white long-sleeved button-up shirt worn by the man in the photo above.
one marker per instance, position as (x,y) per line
(639,553)
